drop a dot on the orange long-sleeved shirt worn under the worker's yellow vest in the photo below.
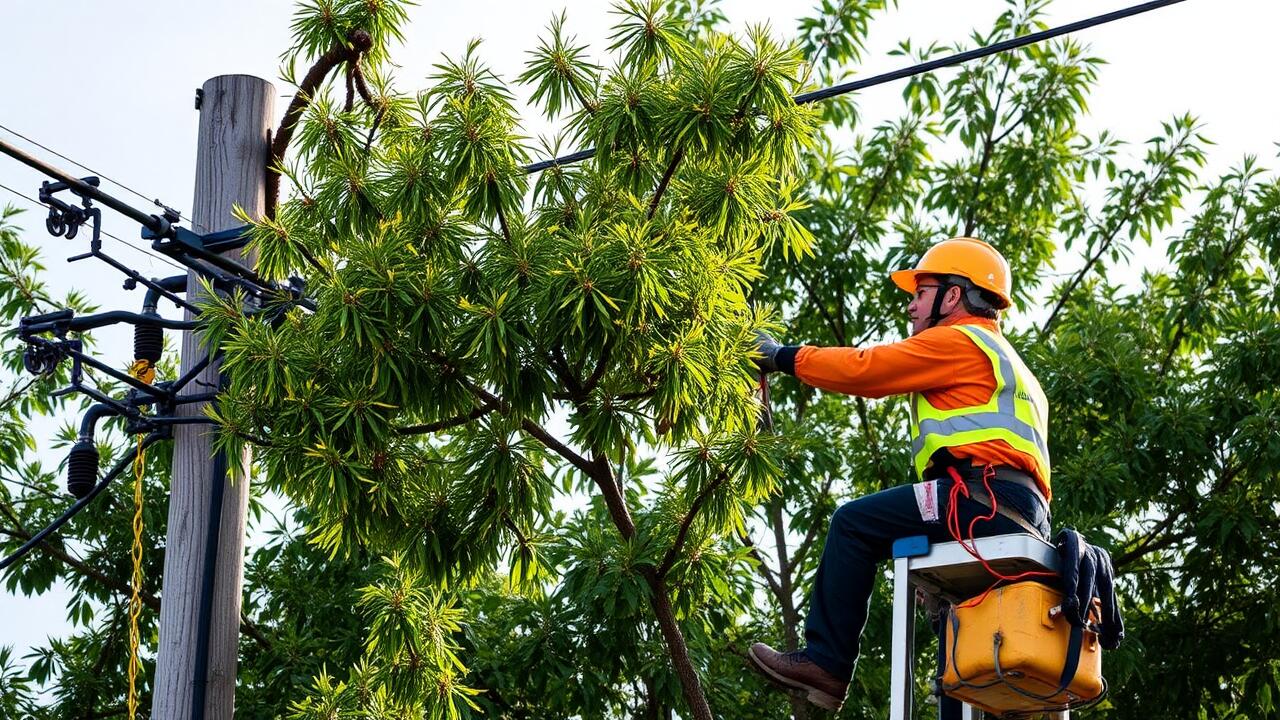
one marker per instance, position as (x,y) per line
(941,362)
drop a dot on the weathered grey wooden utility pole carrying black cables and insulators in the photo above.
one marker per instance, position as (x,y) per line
(231,170)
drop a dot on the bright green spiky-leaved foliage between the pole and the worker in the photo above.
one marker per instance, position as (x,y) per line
(481,348)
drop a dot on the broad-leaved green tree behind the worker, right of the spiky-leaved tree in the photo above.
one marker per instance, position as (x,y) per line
(1162,386)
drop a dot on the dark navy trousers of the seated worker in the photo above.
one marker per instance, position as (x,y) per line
(862,536)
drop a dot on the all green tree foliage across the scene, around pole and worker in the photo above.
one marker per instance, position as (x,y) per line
(519,436)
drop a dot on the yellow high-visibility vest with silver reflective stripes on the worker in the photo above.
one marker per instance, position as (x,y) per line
(1017,413)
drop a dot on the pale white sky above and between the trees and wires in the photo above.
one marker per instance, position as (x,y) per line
(112,86)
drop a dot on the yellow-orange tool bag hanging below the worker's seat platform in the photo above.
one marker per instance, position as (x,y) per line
(1014,653)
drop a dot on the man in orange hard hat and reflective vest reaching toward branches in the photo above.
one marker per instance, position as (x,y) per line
(979,421)
